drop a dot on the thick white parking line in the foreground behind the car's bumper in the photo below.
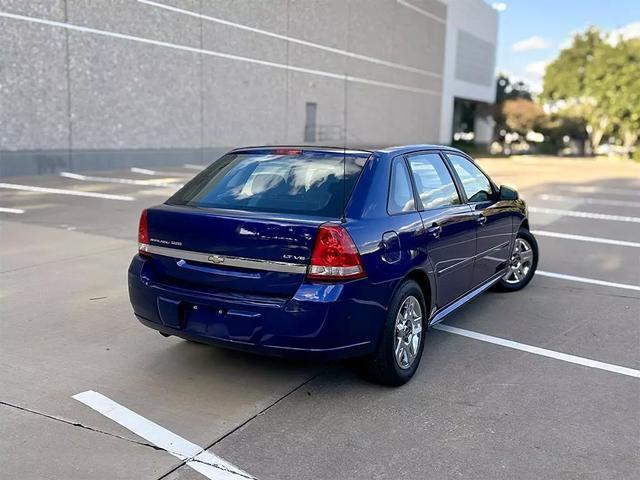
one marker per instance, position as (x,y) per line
(208,464)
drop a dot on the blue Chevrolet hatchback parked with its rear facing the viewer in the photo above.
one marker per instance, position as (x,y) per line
(328,253)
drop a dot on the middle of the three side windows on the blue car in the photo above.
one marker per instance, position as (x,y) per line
(434,183)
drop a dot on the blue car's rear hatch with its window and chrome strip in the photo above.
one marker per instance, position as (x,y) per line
(247,224)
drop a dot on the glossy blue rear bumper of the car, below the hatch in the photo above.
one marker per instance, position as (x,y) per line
(321,321)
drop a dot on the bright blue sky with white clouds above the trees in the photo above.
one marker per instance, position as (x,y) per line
(532,32)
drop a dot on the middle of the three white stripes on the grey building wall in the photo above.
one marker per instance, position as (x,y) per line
(298,41)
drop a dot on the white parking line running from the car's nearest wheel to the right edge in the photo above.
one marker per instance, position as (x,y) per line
(631,372)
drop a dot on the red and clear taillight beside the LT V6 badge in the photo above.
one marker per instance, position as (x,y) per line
(334,256)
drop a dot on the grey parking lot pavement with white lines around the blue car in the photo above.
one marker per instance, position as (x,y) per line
(542,383)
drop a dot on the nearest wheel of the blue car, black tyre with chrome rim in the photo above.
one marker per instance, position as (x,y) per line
(383,366)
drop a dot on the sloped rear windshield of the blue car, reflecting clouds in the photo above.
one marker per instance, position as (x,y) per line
(313,183)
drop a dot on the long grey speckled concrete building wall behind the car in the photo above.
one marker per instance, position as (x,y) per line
(91,84)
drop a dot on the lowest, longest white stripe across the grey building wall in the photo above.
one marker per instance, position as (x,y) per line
(185,48)
